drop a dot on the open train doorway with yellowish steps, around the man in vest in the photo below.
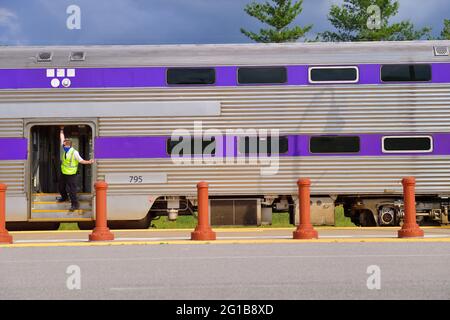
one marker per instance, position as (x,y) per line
(45,152)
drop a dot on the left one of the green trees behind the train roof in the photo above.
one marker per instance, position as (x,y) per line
(278,15)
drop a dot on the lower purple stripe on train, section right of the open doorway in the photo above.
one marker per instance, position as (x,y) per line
(298,145)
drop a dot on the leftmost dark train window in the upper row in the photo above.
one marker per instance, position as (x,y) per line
(183,76)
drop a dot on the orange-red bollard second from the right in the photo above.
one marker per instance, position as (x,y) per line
(305,229)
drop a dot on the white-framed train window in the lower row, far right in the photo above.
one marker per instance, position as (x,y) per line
(397,144)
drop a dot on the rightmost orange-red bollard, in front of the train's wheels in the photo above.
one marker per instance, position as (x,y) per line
(410,227)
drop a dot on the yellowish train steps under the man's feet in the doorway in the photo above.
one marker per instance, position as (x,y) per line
(45,207)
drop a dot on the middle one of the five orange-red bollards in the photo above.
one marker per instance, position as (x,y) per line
(203,230)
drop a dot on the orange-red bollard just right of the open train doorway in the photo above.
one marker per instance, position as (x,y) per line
(101,231)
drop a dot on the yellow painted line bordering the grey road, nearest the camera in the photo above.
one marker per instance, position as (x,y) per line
(244,241)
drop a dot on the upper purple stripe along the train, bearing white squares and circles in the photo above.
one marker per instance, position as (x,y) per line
(141,77)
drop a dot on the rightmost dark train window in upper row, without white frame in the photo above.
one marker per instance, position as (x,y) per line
(405,72)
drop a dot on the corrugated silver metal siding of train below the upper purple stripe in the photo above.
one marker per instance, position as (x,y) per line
(310,109)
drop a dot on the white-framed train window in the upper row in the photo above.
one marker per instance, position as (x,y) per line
(333,74)
